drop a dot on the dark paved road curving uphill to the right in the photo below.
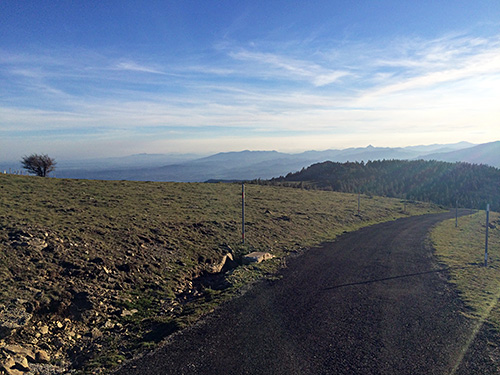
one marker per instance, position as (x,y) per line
(372,302)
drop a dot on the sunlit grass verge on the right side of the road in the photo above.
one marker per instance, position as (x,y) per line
(462,249)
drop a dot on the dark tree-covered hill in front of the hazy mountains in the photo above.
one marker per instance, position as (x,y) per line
(439,182)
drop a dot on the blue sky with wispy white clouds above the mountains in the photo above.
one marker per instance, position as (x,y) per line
(86,79)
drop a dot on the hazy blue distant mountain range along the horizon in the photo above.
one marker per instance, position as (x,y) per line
(248,165)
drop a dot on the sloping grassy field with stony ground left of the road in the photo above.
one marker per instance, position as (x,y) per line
(105,269)
